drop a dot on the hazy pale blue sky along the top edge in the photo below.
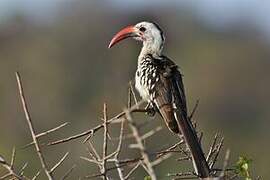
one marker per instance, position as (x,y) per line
(219,13)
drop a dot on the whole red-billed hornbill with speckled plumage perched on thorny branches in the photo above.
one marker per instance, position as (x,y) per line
(159,82)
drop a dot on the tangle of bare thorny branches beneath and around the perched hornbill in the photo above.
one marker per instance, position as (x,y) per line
(104,160)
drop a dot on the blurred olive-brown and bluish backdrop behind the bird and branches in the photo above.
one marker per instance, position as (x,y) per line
(60,49)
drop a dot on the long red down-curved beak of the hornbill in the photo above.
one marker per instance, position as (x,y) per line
(129,31)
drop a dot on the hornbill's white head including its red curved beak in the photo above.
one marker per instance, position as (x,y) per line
(149,33)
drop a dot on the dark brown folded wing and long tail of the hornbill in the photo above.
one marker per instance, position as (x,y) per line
(171,102)
